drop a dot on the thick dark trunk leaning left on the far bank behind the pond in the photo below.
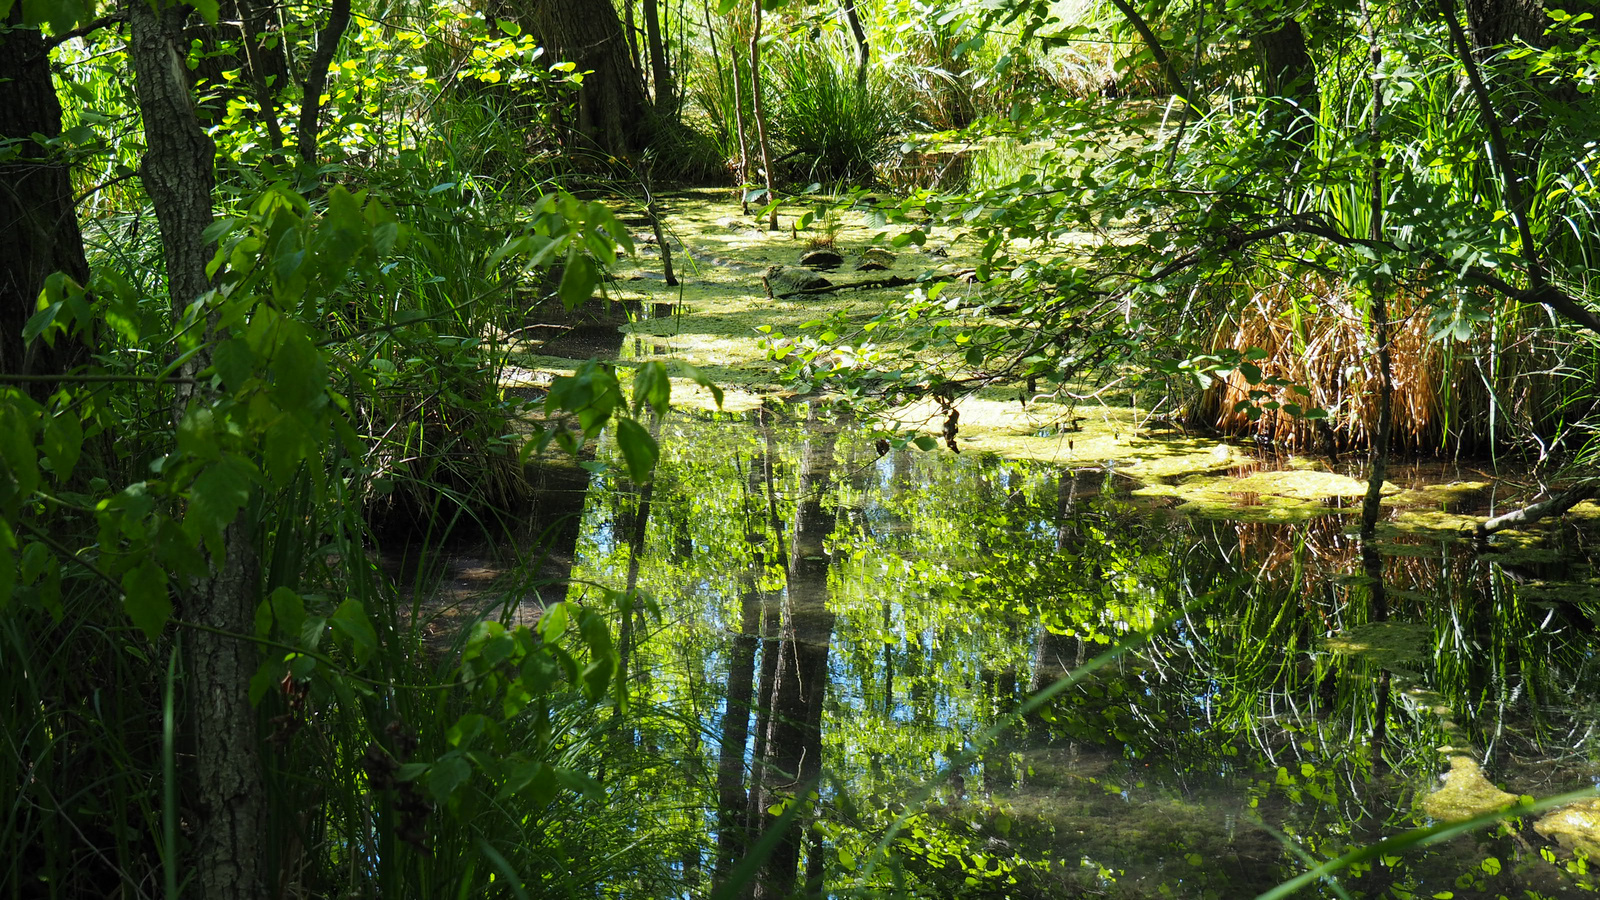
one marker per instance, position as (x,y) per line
(612,113)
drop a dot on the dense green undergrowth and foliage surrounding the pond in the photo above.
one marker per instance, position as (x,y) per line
(335,396)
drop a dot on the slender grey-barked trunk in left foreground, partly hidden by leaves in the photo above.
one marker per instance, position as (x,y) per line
(178,175)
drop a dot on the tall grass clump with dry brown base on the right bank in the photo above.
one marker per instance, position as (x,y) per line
(1474,372)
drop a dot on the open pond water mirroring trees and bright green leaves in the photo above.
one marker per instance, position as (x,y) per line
(820,614)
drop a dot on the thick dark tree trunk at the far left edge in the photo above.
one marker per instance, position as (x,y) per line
(39,223)
